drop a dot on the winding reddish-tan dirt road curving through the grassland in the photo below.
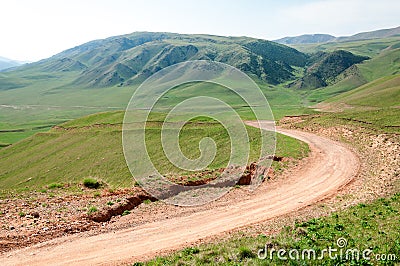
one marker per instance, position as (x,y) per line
(332,167)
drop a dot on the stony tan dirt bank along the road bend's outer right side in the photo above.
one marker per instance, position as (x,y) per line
(379,155)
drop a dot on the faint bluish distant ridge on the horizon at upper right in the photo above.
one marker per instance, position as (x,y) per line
(323,38)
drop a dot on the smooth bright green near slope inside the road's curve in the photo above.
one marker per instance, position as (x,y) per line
(92,147)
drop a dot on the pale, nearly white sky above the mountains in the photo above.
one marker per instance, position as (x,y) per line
(36,29)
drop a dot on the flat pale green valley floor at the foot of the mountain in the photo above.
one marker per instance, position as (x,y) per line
(65,103)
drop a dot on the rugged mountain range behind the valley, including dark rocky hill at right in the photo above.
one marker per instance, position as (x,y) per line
(127,59)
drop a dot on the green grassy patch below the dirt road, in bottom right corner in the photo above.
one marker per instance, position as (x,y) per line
(371,225)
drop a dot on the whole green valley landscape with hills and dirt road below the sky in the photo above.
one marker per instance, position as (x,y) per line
(335,170)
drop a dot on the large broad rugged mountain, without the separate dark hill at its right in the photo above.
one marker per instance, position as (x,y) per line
(122,59)
